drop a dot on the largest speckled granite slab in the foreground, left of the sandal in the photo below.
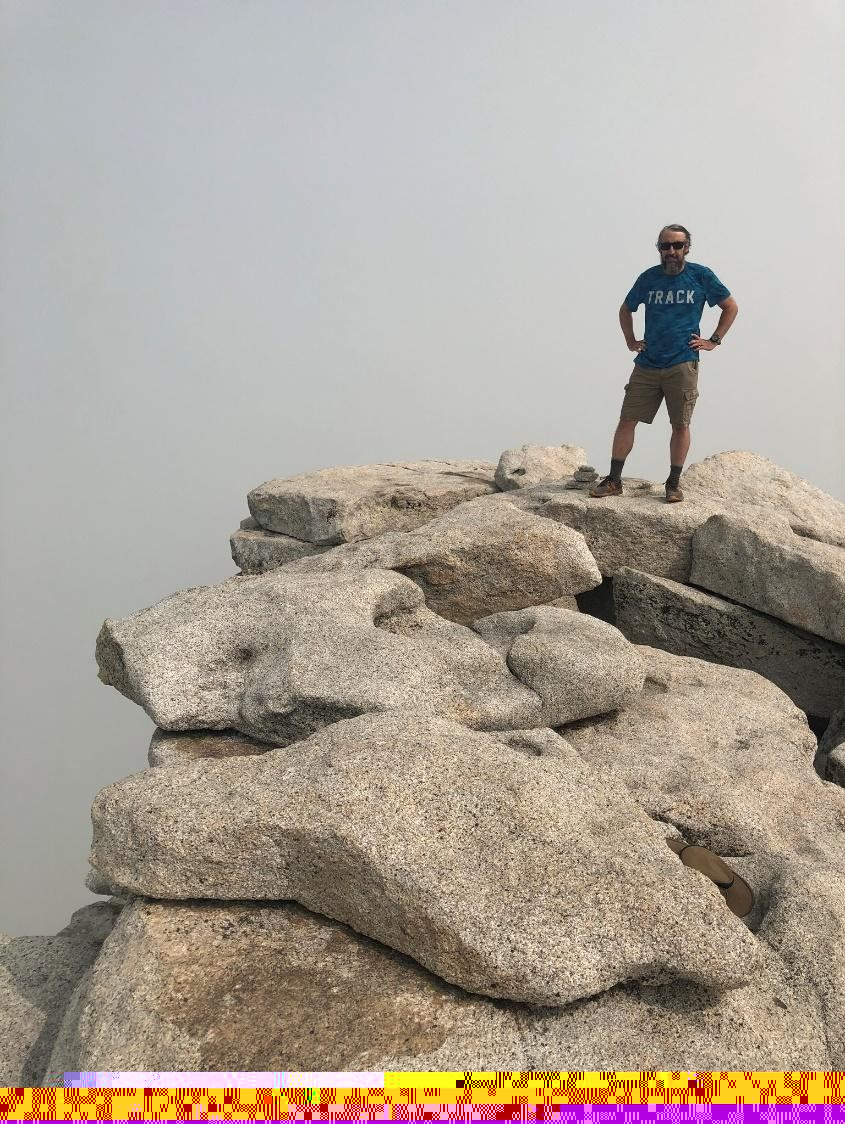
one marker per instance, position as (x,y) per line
(519,877)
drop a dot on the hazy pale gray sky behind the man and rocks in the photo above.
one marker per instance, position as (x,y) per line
(246,239)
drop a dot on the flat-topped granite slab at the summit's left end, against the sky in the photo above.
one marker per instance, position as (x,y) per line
(360,502)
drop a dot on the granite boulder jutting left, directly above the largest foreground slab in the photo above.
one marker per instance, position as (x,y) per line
(278,656)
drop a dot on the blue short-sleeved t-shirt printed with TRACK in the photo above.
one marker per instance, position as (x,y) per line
(674,307)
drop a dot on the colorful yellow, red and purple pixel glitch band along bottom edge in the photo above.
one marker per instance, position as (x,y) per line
(597,1098)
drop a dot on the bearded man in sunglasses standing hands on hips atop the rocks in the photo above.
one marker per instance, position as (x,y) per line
(667,366)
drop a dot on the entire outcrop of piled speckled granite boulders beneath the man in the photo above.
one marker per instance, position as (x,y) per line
(416,768)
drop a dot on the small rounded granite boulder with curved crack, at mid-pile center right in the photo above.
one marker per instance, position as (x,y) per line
(580,667)
